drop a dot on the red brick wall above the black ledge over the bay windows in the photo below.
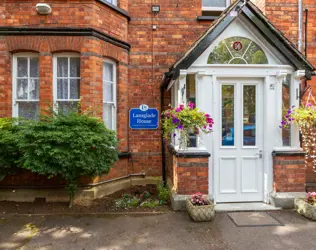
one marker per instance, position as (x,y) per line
(69,13)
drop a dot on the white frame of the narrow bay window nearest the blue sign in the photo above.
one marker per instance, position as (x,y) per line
(114,82)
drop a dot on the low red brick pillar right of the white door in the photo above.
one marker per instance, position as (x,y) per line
(289,173)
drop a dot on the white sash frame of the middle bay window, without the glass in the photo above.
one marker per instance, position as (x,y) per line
(55,99)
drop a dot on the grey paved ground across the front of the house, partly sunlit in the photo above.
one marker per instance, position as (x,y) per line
(166,231)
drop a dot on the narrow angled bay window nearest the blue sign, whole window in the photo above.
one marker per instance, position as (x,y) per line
(109,93)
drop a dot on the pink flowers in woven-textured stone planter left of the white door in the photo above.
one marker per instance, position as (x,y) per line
(200,208)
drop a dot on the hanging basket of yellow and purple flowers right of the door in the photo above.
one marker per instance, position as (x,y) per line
(305,118)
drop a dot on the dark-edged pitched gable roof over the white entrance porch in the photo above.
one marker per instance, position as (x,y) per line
(274,36)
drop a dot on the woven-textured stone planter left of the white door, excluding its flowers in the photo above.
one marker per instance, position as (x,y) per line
(200,213)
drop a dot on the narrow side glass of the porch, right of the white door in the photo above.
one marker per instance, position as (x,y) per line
(286,104)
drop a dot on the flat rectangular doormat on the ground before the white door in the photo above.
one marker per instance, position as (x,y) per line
(254,219)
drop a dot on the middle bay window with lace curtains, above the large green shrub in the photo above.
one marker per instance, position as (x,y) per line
(66,88)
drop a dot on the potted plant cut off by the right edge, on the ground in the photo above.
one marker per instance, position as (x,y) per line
(307,207)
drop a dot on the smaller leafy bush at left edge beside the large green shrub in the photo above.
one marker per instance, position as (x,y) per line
(9,151)
